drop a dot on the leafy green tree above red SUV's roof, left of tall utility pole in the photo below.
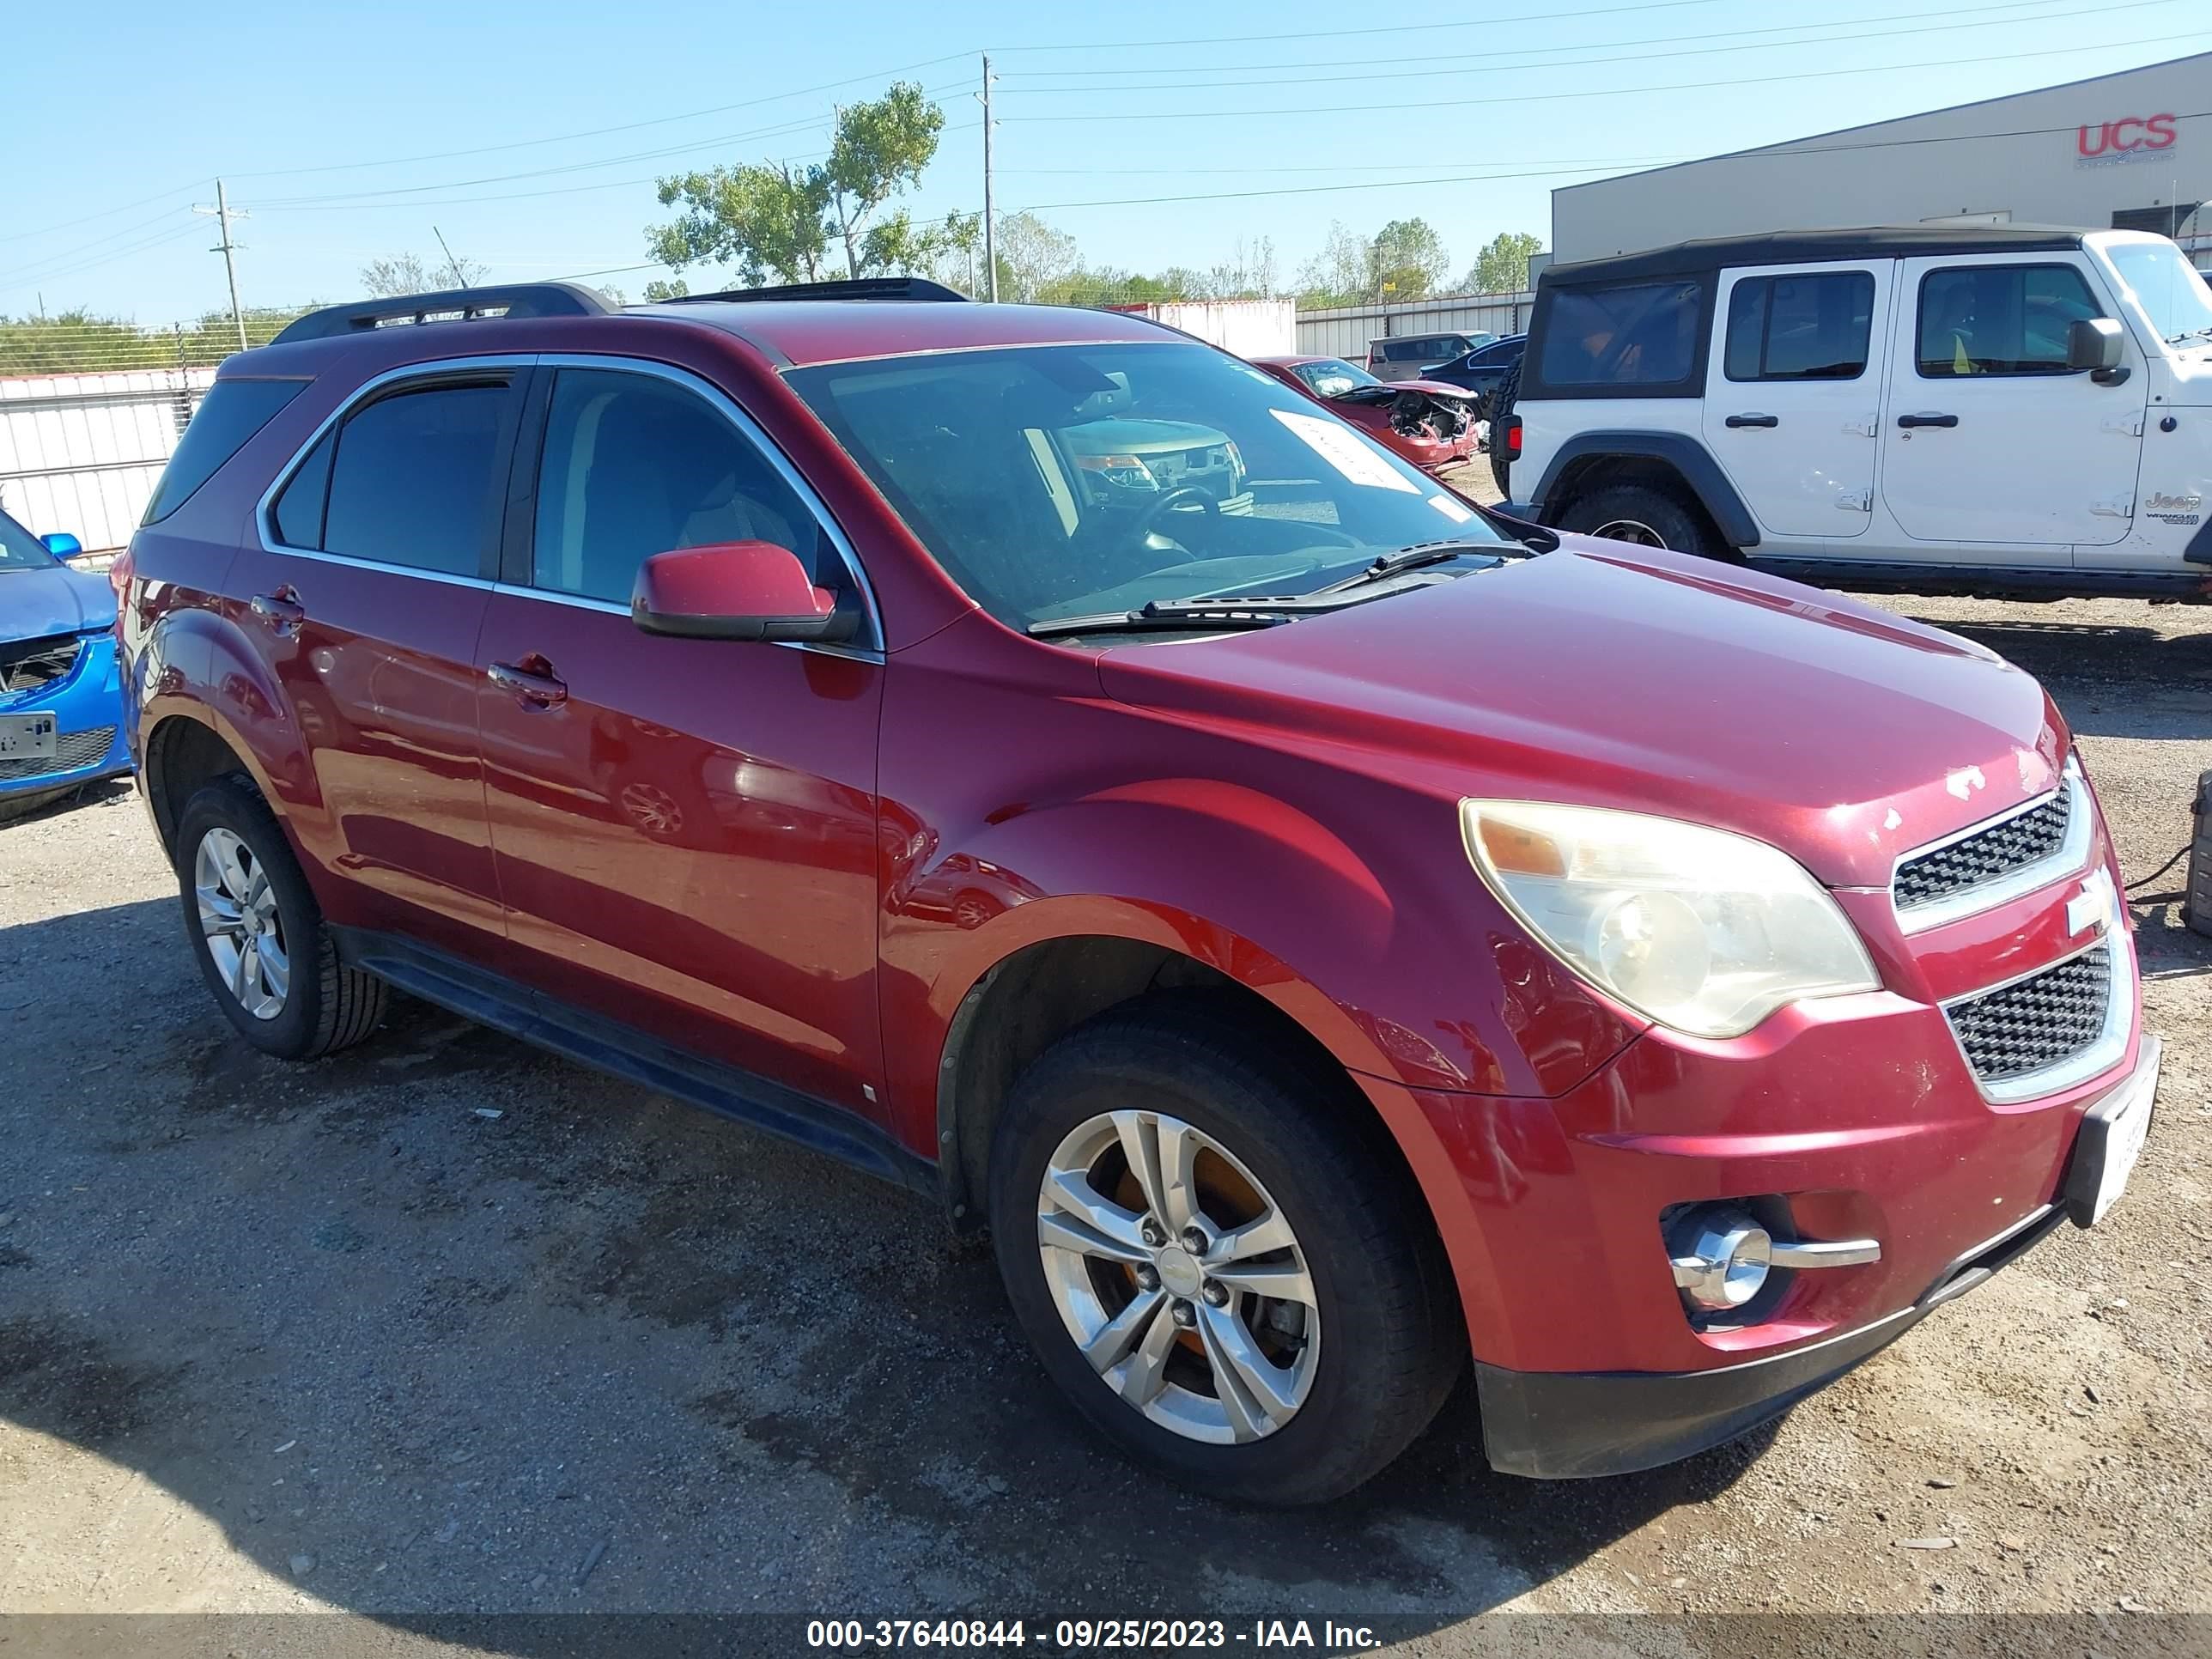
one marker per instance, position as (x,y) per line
(789,225)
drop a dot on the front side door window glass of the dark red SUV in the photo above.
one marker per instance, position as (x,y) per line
(636,466)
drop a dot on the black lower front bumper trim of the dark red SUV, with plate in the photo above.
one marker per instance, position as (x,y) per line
(1563,1426)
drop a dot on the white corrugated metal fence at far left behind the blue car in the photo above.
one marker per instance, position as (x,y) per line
(81,452)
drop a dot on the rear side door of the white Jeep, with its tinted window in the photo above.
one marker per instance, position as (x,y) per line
(1795,395)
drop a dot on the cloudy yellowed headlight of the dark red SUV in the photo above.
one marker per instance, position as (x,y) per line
(1702,930)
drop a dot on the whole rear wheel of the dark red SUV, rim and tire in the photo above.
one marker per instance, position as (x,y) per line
(260,935)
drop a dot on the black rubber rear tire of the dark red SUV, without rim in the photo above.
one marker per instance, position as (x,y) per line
(328,1005)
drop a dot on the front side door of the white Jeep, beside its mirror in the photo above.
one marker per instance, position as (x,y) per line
(1990,441)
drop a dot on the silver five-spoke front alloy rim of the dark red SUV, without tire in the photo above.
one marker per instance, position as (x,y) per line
(1178,1277)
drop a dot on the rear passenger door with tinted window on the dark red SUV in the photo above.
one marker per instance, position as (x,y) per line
(364,592)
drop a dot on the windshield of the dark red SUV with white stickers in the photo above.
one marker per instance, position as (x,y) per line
(1065,481)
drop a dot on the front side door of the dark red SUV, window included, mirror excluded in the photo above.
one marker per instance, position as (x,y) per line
(685,828)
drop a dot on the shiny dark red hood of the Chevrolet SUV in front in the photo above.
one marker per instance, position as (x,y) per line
(1640,680)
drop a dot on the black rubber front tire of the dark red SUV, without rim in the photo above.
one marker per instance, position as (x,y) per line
(1392,1339)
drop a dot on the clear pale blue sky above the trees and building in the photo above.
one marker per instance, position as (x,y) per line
(530,136)
